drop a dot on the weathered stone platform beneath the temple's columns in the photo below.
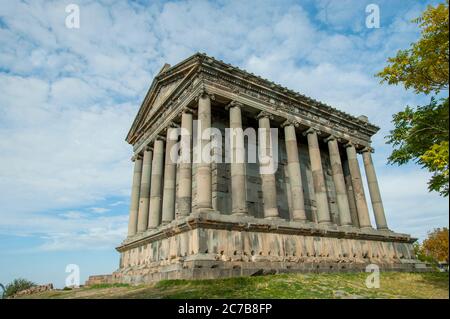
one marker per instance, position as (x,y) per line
(212,245)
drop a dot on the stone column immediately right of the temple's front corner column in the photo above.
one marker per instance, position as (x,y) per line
(237,166)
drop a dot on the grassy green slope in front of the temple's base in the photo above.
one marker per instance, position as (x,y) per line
(337,285)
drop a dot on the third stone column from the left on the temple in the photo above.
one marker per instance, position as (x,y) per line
(156,183)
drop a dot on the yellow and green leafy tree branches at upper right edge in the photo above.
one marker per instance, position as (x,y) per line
(421,134)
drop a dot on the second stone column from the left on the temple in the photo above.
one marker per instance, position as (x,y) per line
(145,190)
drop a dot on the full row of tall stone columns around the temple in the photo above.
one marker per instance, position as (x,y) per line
(153,198)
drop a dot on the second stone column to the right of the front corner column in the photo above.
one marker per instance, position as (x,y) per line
(268,181)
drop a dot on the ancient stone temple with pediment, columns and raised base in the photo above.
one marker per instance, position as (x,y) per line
(207,219)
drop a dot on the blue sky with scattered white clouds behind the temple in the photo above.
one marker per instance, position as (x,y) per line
(69,95)
